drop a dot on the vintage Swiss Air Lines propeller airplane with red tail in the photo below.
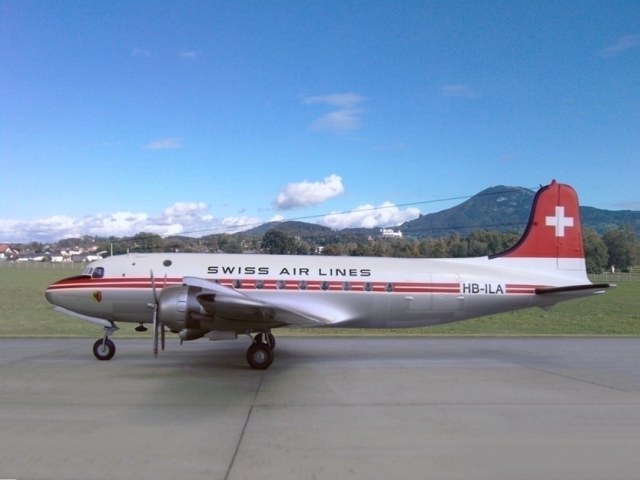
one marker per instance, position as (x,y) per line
(220,296)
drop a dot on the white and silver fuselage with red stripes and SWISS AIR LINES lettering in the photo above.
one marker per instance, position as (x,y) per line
(360,292)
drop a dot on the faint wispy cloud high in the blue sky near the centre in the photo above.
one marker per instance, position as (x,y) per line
(345,115)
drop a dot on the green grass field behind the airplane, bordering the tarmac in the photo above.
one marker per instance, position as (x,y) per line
(24,312)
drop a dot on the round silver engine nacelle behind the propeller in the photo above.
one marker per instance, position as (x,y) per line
(176,305)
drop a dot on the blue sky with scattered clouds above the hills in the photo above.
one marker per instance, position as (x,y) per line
(201,117)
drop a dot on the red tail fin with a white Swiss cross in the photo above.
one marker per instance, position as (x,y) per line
(554,229)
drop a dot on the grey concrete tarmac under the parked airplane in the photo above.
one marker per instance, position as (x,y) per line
(328,408)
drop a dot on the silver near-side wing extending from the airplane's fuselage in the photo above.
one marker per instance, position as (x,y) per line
(228,304)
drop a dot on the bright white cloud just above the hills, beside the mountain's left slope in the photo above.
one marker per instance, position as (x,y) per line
(368,216)
